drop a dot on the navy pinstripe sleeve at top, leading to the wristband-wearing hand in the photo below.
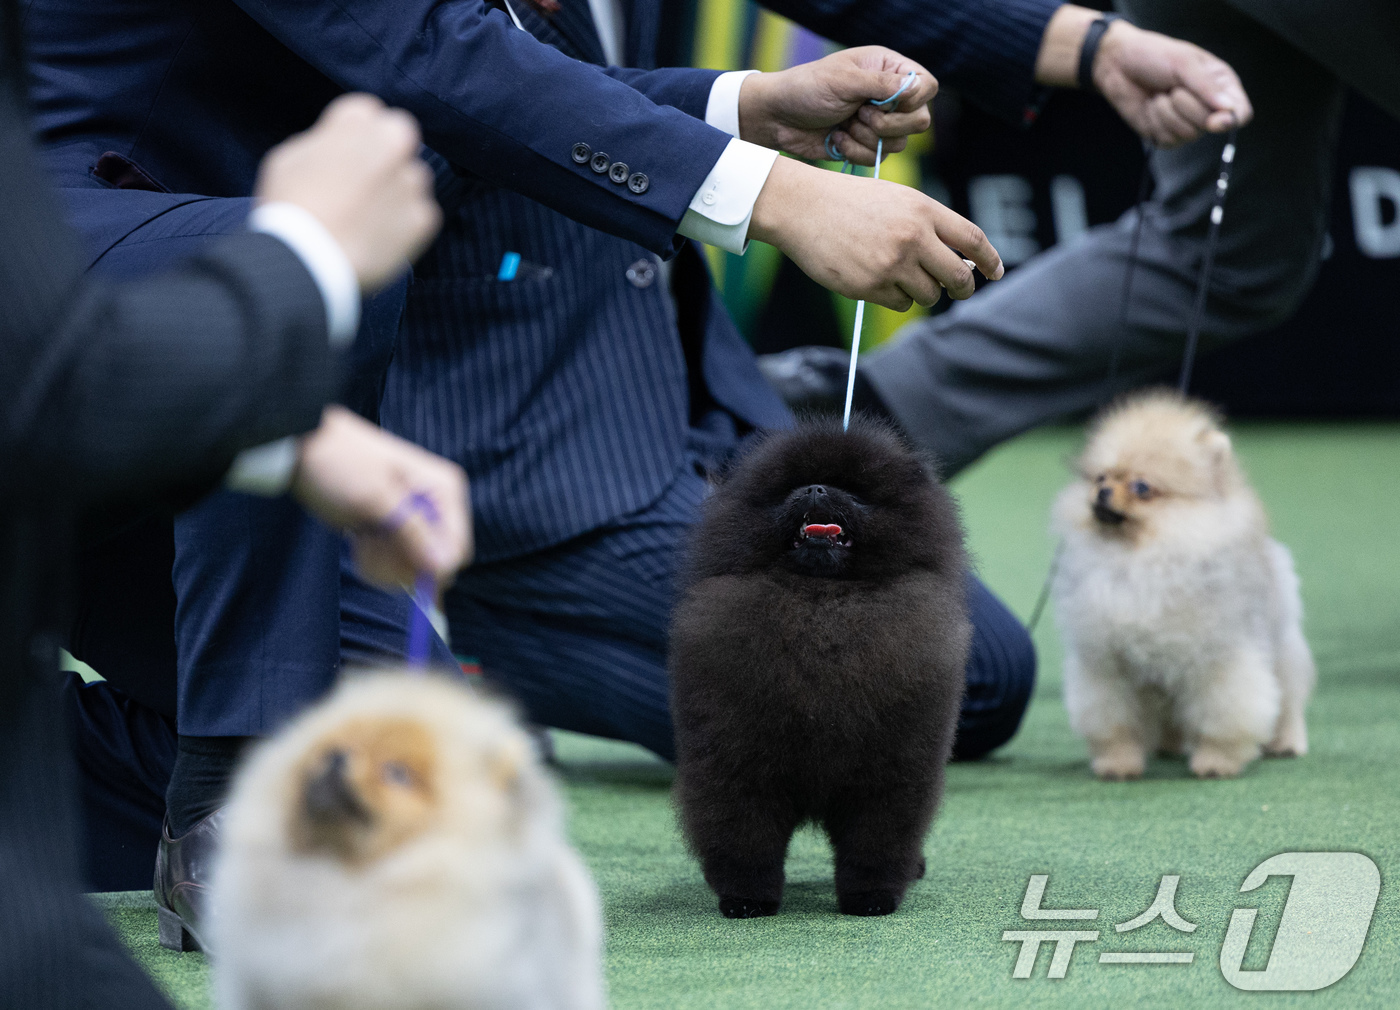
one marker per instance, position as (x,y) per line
(985,48)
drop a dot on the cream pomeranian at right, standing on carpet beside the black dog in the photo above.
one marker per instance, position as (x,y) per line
(1179,614)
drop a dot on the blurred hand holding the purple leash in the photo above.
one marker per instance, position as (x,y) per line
(358,477)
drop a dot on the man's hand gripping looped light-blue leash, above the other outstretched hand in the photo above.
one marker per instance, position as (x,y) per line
(793,111)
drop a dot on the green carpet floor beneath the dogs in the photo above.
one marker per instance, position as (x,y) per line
(1335,497)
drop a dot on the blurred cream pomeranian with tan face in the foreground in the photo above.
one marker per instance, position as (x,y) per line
(400,847)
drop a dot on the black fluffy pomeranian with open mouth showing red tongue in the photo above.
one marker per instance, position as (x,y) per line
(817,662)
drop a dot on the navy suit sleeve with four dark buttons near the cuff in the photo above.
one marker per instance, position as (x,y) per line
(509,109)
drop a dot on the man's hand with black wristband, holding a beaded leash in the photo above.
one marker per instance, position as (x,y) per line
(1168,90)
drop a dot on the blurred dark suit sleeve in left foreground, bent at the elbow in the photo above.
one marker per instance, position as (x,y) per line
(143,387)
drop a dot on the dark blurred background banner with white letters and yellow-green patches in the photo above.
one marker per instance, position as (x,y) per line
(1077,167)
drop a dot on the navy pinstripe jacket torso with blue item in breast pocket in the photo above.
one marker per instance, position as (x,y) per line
(568,393)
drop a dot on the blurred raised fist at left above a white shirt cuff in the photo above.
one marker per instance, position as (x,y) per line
(359,172)
